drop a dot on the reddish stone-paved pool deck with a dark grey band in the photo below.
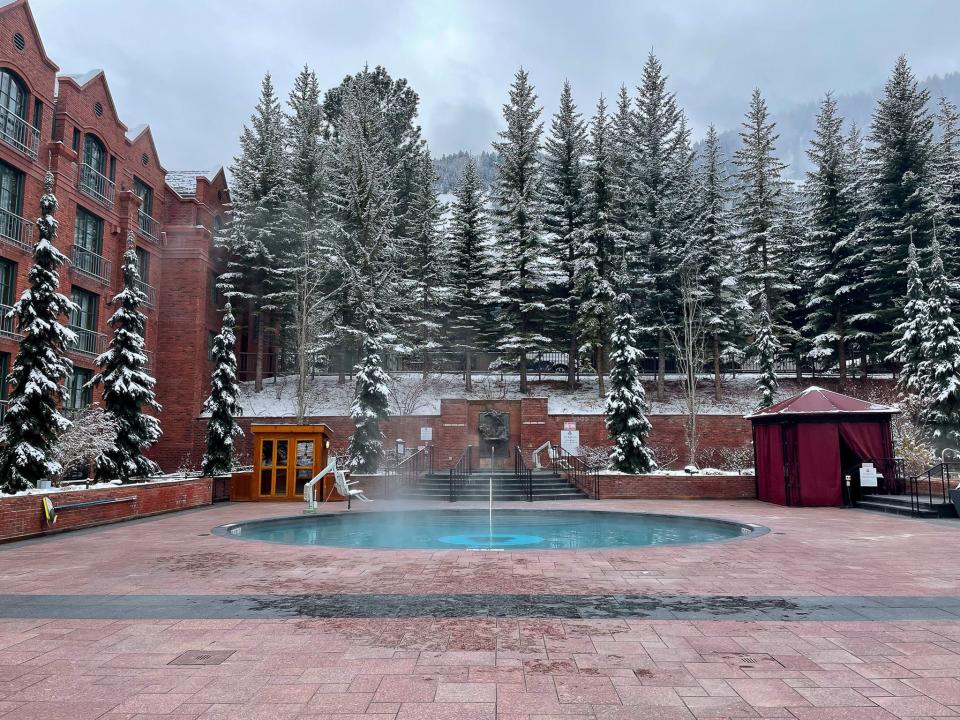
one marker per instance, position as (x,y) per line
(832,614)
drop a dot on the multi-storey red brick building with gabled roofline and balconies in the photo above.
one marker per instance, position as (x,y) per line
(111,186)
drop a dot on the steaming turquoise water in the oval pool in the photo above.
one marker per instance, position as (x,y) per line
(472,529)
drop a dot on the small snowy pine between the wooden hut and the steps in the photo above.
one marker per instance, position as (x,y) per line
(370,402)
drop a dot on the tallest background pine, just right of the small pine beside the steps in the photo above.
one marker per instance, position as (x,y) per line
(659,176)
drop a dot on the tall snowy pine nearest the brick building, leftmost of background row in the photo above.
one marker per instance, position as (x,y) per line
(257,232)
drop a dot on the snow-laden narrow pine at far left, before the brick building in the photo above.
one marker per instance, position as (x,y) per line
(33,422)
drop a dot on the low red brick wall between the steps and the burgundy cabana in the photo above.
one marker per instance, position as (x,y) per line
(678,487)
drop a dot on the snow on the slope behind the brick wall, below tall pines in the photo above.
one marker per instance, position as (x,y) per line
(410,394)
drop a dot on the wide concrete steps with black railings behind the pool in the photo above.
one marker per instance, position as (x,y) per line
(506,486)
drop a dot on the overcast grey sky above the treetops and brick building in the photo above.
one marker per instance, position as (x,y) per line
(191,68)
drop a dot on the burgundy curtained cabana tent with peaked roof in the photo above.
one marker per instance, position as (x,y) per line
(803,445)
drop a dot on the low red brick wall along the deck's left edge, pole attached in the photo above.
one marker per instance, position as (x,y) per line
(22,516)
